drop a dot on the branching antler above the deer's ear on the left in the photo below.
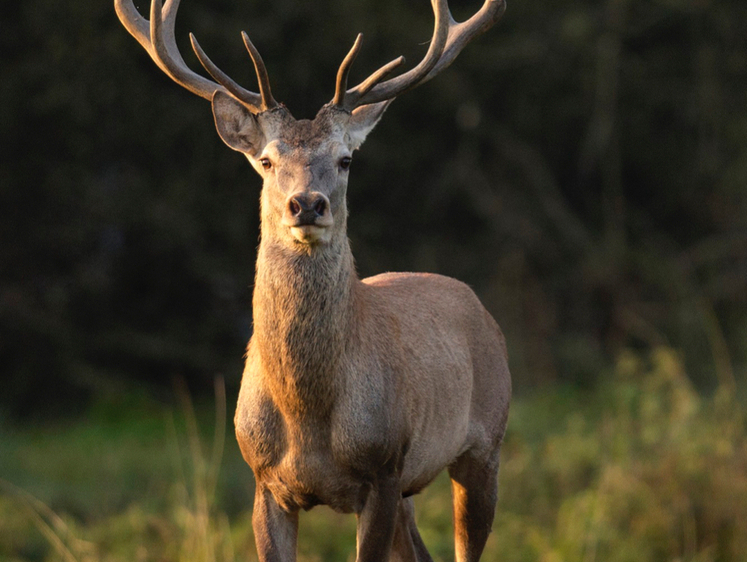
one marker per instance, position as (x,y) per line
(158,39)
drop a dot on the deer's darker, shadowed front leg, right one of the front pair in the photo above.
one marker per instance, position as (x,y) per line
(377,520)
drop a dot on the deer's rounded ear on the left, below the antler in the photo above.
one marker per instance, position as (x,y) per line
(236,125)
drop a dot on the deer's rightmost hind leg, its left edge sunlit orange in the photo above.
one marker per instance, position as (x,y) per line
(474,485)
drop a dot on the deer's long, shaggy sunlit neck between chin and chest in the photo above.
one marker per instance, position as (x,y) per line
(303,314)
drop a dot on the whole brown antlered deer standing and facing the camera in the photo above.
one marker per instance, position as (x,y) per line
(356,393)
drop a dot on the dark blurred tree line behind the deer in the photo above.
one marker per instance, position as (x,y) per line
(583,166)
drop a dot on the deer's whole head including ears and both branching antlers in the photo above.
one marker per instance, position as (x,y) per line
(304,163)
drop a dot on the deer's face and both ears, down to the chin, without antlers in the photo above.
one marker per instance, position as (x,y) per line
(304,165)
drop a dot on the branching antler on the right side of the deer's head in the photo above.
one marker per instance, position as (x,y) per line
(449,38)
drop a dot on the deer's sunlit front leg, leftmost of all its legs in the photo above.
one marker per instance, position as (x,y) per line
(275,530)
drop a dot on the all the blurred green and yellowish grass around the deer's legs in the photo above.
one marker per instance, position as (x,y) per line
(643,468)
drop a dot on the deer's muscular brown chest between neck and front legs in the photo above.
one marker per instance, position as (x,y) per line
(310,460)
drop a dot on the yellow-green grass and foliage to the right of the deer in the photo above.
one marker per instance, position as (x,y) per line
(657,473)
